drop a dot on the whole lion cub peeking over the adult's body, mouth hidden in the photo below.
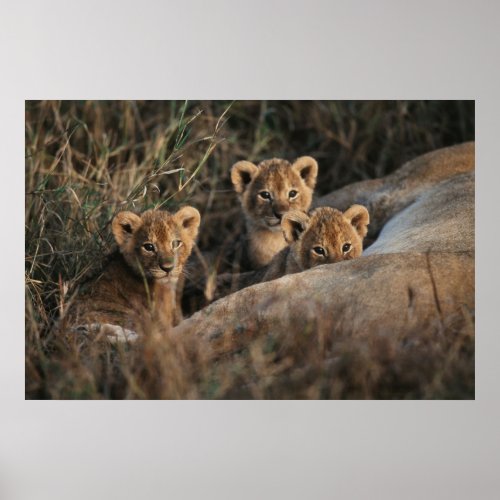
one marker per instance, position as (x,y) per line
(324,236)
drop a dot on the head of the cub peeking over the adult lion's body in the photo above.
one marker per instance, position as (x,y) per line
(326,235)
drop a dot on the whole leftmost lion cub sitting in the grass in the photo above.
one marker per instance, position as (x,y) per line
(138,282)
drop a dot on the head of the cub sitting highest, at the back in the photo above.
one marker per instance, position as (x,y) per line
(269,190)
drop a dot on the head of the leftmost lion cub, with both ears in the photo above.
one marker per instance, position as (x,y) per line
(156,244)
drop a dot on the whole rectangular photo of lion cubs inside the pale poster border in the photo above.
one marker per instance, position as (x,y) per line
(249,250)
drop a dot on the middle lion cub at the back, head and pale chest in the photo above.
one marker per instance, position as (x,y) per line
(267,192)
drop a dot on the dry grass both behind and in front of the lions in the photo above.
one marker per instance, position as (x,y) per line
(87,160)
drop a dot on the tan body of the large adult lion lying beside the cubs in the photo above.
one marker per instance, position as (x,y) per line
(408,297)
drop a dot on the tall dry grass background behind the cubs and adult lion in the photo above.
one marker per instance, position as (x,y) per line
(86,160)
